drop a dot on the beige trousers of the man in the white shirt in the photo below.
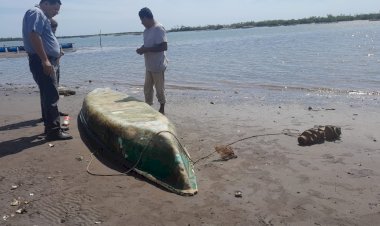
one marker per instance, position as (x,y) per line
(156,79)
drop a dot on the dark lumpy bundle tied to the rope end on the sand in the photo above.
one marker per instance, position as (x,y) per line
(319,134)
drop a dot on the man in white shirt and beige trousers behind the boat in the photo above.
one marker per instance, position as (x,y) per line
(155,45)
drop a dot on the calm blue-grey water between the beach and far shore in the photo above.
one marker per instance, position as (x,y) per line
(306,63)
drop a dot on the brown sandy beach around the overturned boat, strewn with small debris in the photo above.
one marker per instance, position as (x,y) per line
(282,183)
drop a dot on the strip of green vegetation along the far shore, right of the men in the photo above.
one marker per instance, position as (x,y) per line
(272,23)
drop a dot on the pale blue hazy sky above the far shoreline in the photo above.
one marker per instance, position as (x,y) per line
(82,17)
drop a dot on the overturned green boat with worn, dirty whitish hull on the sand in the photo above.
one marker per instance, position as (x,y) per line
(143,137)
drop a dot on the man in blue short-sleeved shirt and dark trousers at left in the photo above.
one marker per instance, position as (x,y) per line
(43,50)
